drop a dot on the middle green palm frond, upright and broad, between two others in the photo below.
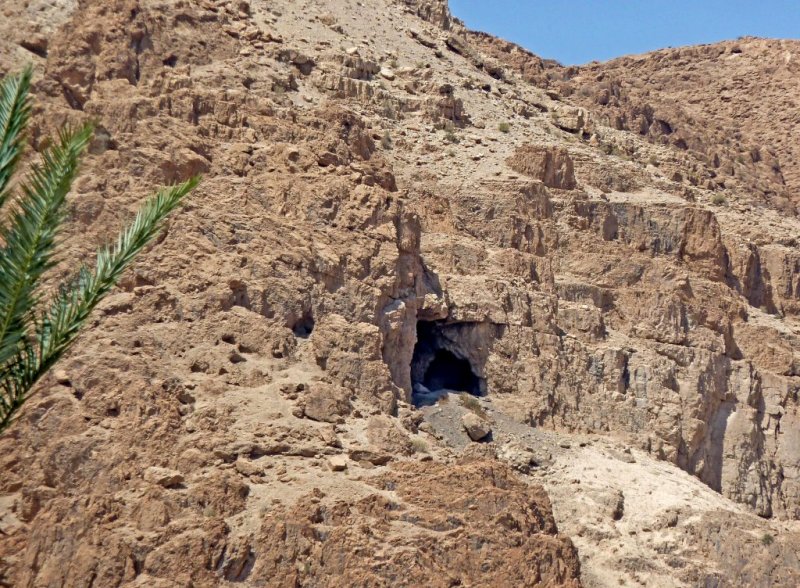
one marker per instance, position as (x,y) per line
(29,237)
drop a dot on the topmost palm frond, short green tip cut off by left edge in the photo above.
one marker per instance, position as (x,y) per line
(15,109)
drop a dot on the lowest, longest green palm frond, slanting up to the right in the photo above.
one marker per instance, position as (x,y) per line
(61,323)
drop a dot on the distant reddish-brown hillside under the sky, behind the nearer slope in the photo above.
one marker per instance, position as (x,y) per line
(730,108)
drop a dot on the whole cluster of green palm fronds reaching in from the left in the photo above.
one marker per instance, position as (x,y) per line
(29,346)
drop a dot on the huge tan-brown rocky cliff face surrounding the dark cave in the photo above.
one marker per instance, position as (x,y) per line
(393,205)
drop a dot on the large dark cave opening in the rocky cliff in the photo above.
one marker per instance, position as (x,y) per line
(447,358)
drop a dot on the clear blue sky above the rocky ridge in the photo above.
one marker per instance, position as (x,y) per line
(579,31)
